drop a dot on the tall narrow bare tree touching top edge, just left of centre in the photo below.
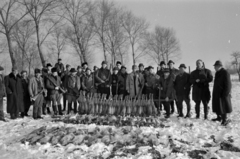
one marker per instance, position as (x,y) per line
(100,18)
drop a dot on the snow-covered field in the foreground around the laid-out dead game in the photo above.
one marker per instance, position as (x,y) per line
(177,138)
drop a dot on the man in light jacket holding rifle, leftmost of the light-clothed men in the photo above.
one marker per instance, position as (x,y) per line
(36,90)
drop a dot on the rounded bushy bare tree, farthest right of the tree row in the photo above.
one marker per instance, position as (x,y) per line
(162,44)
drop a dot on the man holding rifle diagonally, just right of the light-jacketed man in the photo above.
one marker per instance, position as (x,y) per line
(53,86)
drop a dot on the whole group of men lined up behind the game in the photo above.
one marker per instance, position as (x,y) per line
(170,87)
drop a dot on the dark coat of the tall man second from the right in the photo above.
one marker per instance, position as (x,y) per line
(201,89)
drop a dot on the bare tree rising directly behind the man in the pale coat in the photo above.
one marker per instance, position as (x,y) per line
(135,29)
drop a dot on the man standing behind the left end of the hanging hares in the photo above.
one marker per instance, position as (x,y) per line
(88,82)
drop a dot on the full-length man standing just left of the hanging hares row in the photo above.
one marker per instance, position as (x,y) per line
(72,90)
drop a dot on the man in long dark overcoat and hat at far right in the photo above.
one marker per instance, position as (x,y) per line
(221,98)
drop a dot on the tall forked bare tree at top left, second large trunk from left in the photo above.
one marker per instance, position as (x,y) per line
(44,16)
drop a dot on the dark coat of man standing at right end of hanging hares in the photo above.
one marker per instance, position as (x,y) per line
(167,87)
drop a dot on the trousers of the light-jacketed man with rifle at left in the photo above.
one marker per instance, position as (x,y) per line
(37,106)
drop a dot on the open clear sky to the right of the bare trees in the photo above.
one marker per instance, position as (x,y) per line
(207,30)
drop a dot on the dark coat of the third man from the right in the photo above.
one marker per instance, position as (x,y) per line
(182,85)
